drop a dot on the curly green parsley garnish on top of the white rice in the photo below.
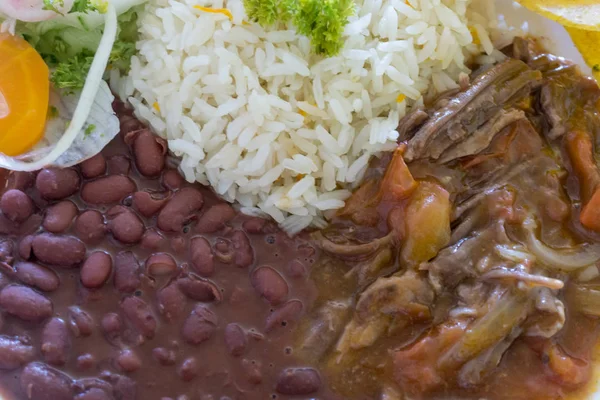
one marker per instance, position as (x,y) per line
(323,21)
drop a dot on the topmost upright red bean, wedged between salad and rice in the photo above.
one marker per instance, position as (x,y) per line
(149,151)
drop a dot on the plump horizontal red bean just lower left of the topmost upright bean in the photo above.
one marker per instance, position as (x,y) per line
(107,190)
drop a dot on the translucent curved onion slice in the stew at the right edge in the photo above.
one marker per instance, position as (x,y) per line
(567,260)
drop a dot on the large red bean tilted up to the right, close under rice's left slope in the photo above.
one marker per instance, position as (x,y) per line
(180,209)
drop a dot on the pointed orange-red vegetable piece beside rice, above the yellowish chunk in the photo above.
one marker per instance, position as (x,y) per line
(398,183)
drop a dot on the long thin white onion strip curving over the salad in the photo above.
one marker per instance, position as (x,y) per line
(86,100)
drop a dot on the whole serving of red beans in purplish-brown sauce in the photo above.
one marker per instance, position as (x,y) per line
(122,281)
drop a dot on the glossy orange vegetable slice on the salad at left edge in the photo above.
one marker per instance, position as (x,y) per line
(24,94)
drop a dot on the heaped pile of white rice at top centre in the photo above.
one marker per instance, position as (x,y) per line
(255,114)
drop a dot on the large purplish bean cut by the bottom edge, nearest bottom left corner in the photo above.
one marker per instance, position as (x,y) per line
(40,382)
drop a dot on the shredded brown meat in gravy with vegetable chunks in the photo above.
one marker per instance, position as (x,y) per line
(467,265)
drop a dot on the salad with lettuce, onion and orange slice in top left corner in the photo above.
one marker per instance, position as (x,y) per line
(55,107)
